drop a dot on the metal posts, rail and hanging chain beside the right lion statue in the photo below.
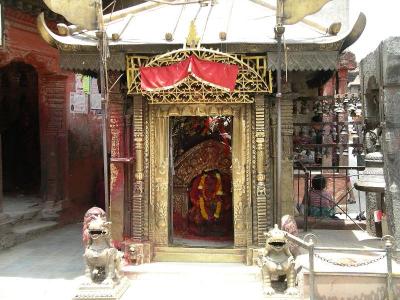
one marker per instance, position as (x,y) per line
(309,241)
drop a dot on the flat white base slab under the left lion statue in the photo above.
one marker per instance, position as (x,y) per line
(102,291)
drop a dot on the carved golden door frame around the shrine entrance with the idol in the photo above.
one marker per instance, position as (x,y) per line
(159,210)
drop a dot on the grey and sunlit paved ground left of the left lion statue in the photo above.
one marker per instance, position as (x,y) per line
(44,268)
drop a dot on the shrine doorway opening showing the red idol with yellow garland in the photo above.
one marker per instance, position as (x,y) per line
(201,193)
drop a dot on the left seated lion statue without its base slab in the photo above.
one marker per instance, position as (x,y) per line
(103,262)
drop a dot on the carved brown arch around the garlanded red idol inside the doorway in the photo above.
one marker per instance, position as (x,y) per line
(208,155)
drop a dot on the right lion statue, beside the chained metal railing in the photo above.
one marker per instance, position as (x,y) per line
(276,260)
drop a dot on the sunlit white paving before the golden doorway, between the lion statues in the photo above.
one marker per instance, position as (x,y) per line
(197,281)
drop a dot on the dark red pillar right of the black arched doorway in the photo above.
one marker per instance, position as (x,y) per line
(53,92)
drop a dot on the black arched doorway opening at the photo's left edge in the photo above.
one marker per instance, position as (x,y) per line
(19,128)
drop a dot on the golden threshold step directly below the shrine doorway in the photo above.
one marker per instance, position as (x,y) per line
(206,255)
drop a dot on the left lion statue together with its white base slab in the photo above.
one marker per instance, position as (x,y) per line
(103,276)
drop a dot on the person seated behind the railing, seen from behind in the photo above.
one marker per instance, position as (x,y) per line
(321,202)
